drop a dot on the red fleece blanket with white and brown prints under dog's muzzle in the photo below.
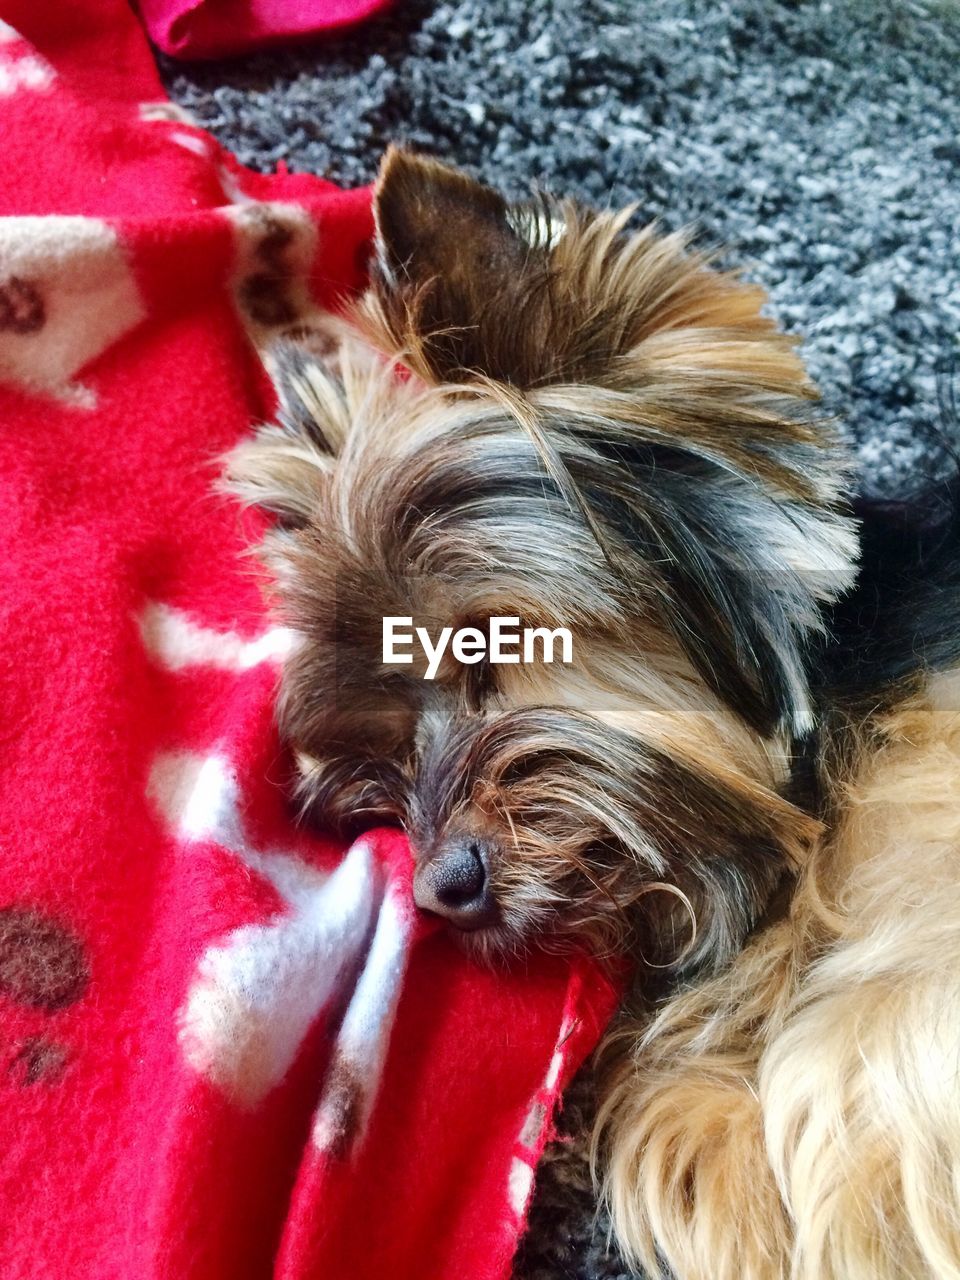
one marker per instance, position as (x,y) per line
(230,1049)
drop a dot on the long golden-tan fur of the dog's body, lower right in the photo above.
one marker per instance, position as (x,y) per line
(799,1117)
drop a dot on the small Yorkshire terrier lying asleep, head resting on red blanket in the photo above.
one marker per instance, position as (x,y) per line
(537,413)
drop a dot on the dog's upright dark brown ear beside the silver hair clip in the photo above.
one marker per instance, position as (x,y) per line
(456,268)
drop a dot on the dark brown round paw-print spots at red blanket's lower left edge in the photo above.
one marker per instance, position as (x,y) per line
(44,967)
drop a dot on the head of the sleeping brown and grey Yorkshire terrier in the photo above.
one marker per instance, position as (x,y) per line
(538,414)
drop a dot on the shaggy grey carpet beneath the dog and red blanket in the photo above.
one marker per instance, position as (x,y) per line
(819,139)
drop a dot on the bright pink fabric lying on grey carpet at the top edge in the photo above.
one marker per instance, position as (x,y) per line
(213,29)
